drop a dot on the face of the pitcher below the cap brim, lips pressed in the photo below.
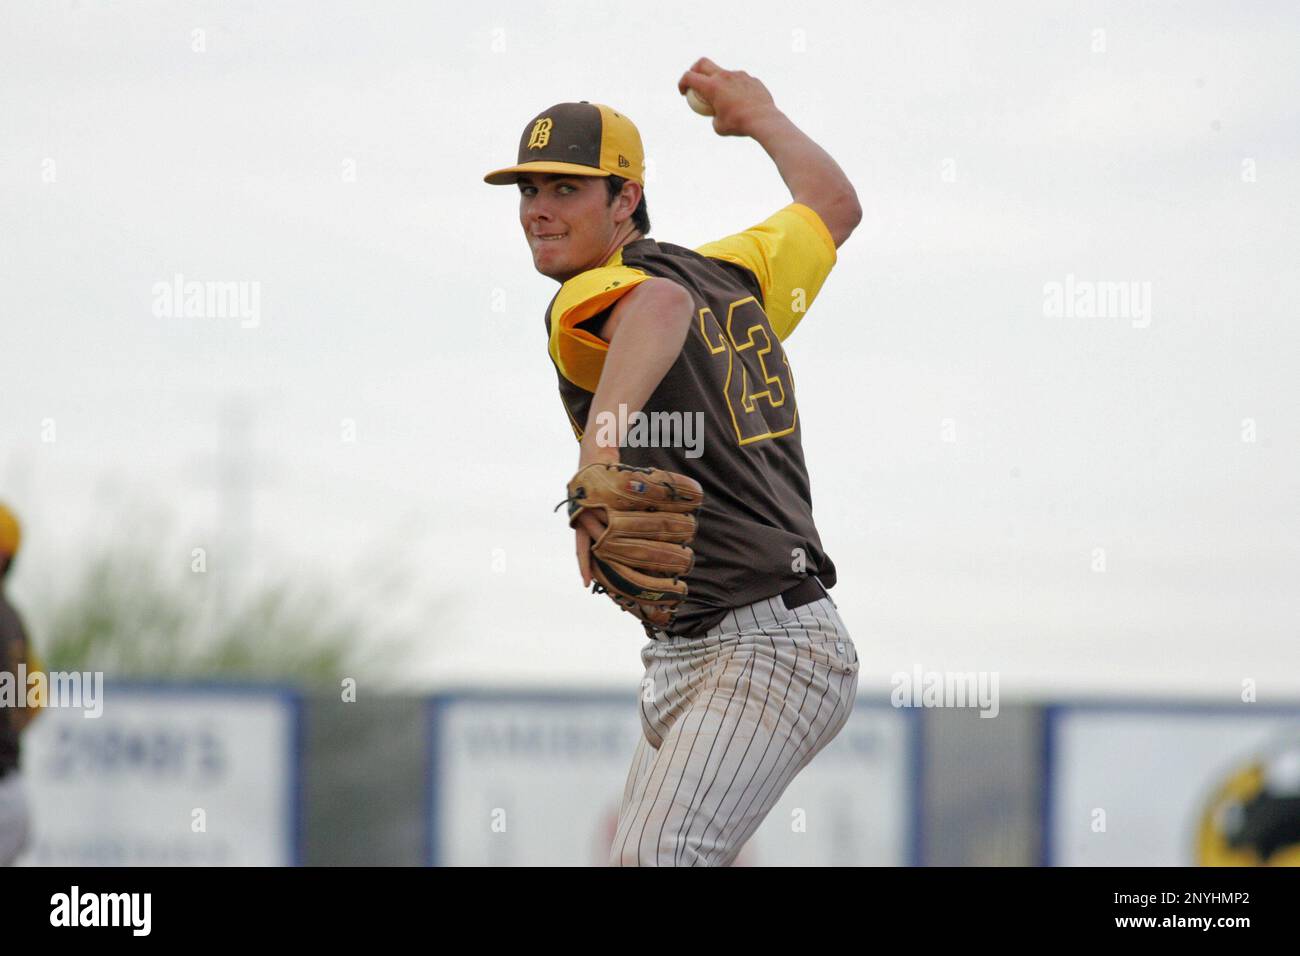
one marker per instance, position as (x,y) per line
(574,209)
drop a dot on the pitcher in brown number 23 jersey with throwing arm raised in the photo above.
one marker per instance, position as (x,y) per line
(751,672)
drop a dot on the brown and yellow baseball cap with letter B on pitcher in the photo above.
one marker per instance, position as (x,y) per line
(578,139)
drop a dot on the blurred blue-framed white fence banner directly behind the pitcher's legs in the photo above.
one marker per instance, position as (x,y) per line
(538,780)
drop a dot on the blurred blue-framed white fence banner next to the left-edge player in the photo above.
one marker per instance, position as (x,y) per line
(171,775)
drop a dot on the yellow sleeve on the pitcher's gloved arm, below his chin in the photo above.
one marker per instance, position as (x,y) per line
(580,354)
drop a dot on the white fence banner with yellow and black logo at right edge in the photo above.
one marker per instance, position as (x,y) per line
(1177,785)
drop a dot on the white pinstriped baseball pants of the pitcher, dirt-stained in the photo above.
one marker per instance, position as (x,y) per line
(727,721)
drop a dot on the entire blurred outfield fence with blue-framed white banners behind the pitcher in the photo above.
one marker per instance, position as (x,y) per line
(233,775)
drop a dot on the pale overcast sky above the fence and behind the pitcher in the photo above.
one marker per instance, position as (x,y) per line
(333,154)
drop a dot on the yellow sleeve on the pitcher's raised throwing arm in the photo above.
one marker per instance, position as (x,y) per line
(791,254)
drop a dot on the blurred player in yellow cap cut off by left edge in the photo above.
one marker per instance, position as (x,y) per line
(15,651)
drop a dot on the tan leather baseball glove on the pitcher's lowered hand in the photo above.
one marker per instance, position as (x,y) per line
(645,550)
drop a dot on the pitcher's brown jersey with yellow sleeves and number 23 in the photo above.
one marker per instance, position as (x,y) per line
(726,413)
